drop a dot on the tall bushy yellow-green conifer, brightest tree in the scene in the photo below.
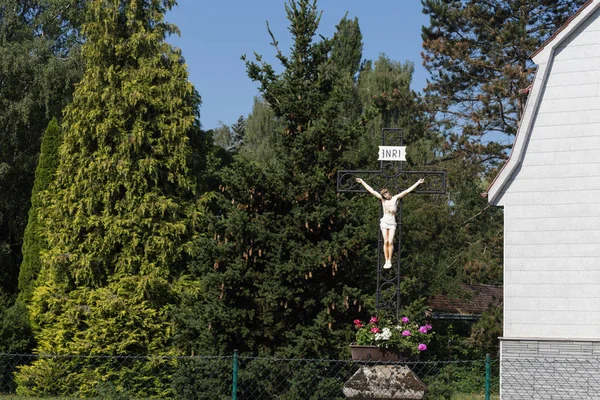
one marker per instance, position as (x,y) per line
(123,209)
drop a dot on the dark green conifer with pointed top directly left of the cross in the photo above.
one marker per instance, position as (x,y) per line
(289,265)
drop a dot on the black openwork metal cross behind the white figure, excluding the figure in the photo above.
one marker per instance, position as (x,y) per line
(392,176)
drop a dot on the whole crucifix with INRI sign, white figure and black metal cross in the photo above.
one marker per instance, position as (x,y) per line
(393,177)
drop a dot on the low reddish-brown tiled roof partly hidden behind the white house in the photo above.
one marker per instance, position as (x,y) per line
(476,299)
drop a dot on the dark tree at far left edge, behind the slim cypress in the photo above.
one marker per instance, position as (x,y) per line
(39,63)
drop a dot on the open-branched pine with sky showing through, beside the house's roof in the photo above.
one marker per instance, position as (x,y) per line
(478,55)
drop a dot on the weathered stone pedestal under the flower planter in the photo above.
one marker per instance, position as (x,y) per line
(384,382)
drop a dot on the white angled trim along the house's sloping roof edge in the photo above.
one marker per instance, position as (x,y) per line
(541,57)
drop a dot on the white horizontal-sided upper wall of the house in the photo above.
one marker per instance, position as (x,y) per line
(552,204)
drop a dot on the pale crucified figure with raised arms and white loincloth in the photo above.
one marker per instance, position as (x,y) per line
(388,222)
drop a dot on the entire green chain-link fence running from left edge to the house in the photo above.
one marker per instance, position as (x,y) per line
(244,378)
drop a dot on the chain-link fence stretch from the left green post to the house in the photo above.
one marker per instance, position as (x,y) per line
(341,379)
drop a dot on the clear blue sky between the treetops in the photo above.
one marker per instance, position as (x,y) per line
(214,34)
